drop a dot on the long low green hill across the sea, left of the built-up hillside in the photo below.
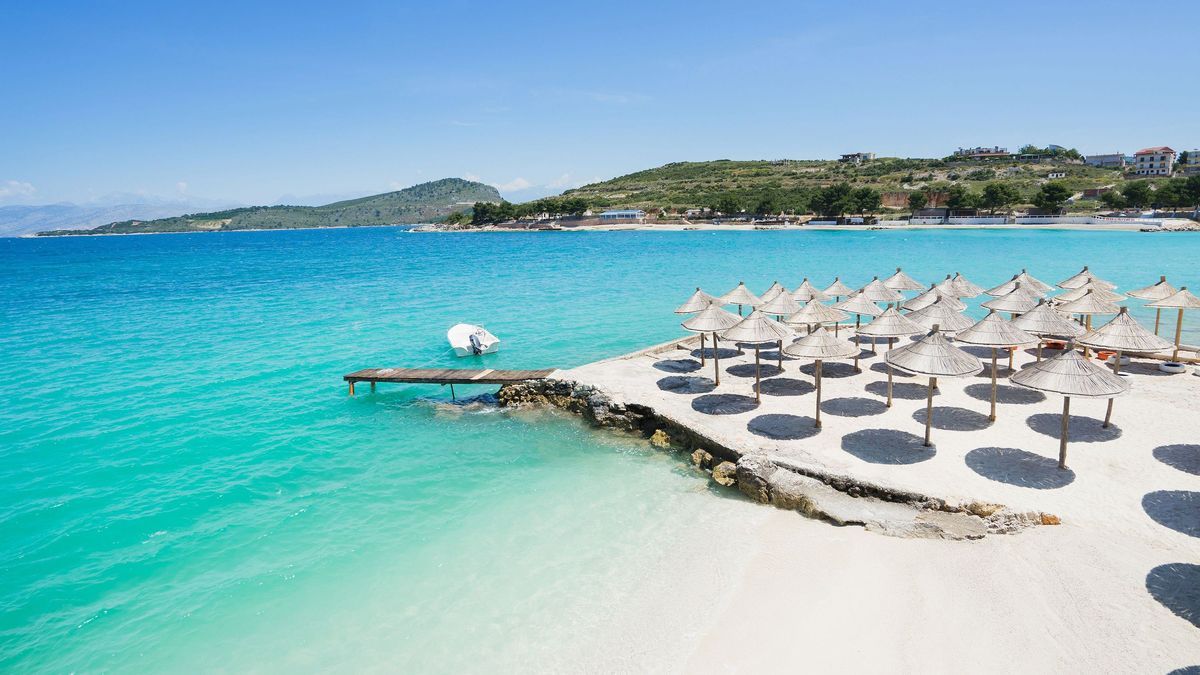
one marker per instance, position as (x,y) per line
(427,202)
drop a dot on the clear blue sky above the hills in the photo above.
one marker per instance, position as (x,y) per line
(308,101)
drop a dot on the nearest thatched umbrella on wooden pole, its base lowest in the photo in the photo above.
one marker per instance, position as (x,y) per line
(1071,375)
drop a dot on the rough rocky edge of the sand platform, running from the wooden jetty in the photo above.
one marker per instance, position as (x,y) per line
(841,500)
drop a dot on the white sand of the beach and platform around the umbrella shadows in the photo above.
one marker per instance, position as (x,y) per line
(1054,599)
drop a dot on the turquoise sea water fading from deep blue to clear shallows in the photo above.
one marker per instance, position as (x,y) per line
(185,483)
